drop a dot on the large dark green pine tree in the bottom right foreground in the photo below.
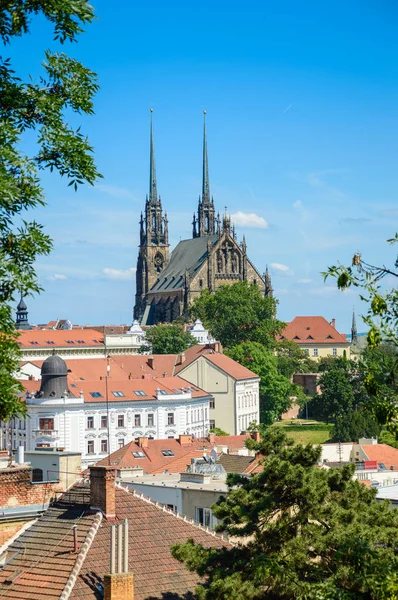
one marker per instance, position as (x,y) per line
(306,533)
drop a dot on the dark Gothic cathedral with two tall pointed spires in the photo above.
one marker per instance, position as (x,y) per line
(167,283)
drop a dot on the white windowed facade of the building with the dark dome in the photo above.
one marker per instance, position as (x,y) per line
(90,427)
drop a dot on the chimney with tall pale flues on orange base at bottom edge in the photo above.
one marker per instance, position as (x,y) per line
(119,583)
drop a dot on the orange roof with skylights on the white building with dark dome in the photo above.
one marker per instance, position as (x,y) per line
(172,386)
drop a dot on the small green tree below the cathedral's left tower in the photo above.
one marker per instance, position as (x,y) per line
(167,339)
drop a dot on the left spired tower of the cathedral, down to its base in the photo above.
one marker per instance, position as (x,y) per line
(154,238)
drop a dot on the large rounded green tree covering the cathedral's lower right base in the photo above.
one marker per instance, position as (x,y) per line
(238,313)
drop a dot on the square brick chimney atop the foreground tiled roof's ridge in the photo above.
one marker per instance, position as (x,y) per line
(102,490)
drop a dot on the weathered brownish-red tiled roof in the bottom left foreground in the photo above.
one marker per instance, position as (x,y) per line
(44,558)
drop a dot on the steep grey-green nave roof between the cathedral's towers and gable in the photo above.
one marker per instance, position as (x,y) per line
(188,254)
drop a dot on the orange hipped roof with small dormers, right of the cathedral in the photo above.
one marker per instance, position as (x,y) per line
(312,330)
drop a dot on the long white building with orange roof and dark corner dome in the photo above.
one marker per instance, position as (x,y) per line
(98,416)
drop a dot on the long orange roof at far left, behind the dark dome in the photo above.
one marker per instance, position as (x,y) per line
(53,338)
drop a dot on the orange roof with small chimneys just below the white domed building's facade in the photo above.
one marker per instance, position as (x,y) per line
(154,461)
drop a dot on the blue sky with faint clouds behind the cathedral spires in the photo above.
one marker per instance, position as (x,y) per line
(302,117)
